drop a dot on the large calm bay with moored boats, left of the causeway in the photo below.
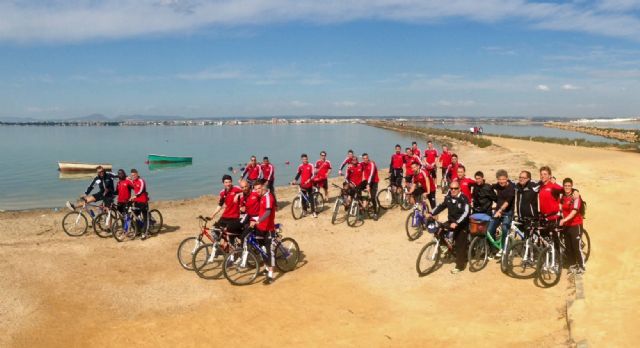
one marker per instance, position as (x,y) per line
(29,155)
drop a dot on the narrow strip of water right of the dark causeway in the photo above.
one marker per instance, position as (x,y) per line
(520,130)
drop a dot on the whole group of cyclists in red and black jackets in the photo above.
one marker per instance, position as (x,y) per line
(251,206)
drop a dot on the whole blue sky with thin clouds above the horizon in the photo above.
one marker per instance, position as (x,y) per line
(71,58)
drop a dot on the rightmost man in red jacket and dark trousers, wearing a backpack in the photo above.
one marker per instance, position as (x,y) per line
(572,214)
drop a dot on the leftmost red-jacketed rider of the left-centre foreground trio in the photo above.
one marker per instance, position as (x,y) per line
(230,200)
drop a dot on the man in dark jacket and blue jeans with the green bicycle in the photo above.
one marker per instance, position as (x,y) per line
(505,192)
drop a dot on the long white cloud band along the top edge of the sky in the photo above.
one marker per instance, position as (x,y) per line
(81,20)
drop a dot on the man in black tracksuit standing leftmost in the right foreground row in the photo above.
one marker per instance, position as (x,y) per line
(458,211)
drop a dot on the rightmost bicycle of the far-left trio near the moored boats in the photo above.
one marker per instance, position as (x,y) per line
(132,223)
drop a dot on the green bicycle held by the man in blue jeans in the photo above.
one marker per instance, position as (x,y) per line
(483,246)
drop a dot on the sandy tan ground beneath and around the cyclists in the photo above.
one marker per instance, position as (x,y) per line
(354,287)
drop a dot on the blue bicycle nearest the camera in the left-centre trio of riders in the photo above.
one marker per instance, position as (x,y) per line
(242,266)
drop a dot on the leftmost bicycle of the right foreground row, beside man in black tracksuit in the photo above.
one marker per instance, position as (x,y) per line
(442,247)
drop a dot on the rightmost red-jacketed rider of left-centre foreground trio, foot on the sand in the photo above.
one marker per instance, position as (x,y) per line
(265,229)
